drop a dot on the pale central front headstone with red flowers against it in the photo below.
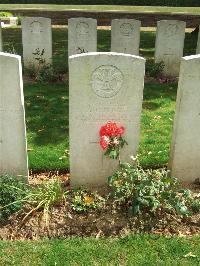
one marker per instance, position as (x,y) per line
(103,87)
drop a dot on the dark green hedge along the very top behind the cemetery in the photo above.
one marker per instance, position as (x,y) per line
(110,2)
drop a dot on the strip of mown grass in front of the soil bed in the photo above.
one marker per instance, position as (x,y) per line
(134,250)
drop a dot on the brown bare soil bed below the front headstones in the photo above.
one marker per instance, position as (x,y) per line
(108,221)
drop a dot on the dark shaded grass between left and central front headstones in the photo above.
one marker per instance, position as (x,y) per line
(47,112)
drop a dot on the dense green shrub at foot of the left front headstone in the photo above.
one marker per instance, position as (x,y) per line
(12,192)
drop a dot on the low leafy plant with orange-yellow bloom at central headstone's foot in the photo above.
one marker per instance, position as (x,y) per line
(83,200)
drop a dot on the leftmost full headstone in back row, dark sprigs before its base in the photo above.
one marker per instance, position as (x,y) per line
(37,40)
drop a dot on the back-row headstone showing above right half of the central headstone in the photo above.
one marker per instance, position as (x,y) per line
(125,36)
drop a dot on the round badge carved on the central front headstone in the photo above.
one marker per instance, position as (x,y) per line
(107,81)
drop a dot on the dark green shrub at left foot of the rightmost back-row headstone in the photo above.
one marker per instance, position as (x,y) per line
(153,69)
